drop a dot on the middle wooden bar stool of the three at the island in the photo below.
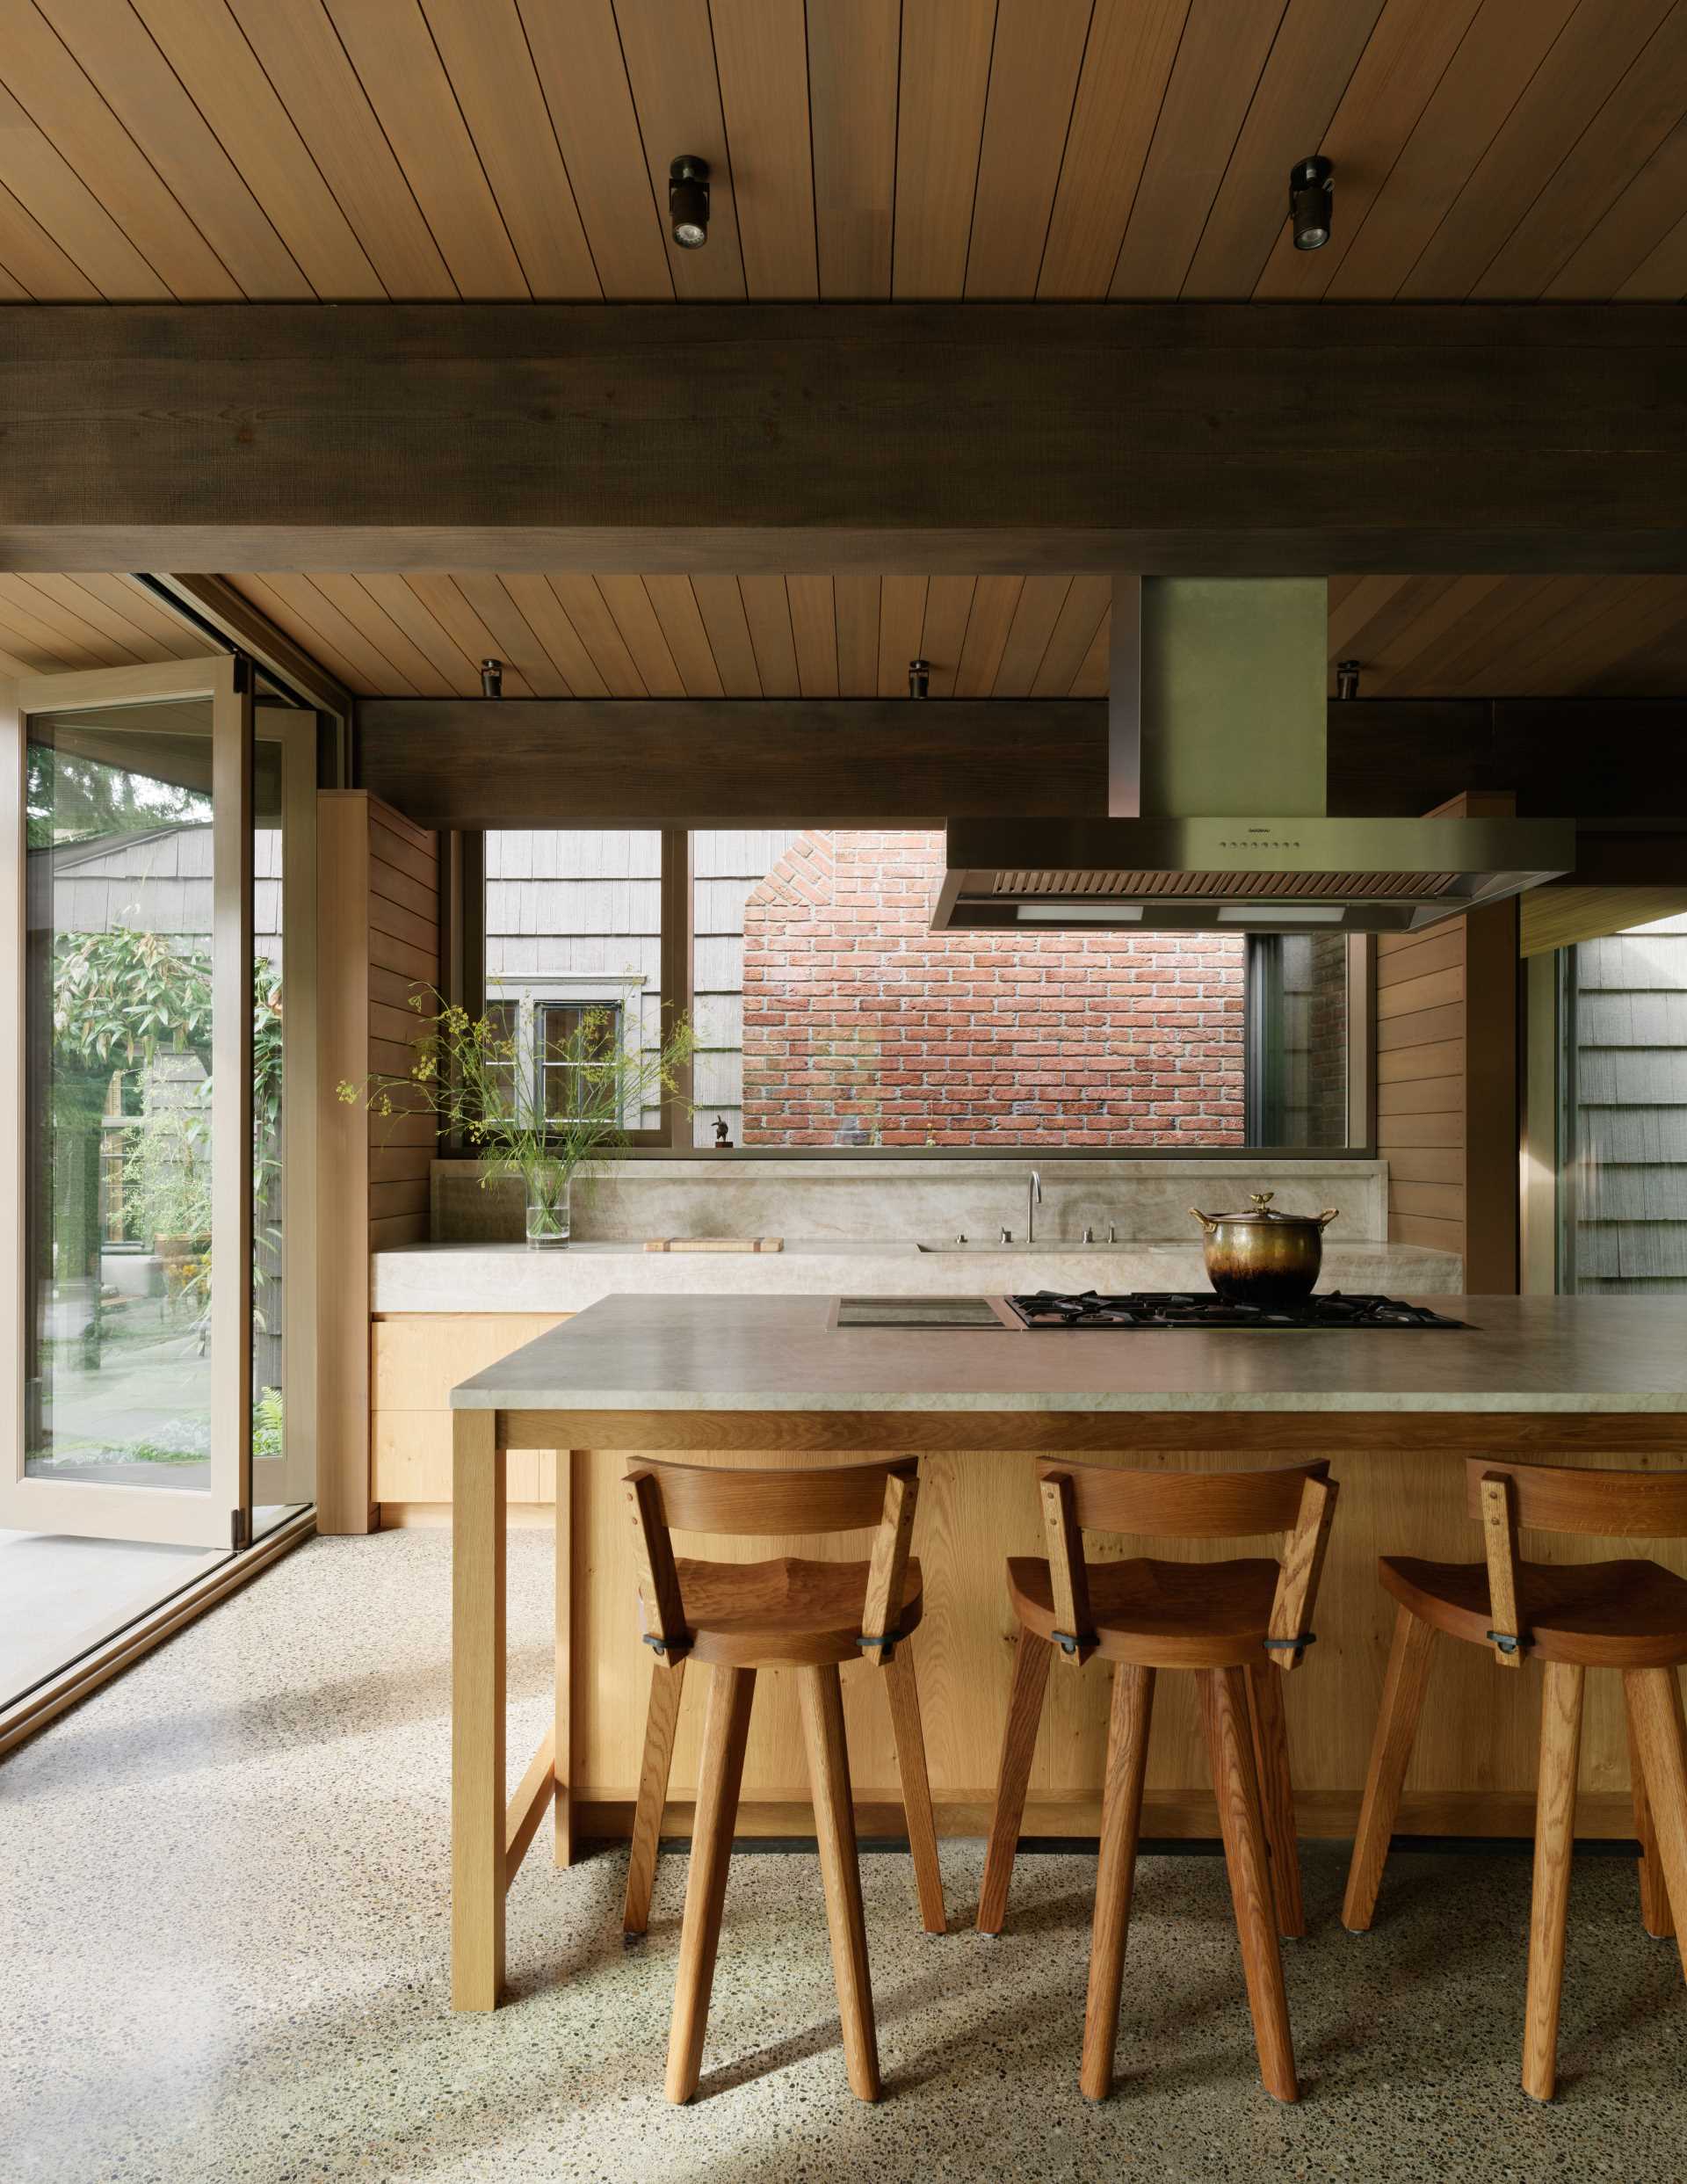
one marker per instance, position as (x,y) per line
(1236,1624)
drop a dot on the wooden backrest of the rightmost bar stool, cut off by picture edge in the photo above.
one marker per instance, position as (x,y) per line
(1562,1497)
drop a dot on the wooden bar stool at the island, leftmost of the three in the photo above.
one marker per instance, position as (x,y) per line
(776,1615)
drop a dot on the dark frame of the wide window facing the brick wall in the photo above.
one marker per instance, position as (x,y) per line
(673,1141)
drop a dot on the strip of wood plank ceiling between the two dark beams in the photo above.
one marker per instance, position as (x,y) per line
(983,637)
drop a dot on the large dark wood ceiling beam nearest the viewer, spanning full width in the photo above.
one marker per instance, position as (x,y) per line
(1271,438)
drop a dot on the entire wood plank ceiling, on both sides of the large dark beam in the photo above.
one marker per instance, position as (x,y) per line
(972,150)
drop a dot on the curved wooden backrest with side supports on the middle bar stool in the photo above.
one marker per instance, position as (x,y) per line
(1188,1506)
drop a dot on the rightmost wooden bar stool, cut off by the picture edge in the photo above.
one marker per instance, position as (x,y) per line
(1570,1617)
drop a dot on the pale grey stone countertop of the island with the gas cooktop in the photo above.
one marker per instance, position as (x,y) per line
(782,1353)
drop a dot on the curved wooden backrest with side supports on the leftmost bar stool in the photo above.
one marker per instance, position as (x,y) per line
(765,1506)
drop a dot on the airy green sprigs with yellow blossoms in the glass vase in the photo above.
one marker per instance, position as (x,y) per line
(470,1080)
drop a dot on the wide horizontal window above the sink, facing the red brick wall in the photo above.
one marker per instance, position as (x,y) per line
(830,1017)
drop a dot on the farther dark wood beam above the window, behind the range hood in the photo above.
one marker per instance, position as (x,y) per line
(481,763)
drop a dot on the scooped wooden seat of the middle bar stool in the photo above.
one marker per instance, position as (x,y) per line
(1162,1615)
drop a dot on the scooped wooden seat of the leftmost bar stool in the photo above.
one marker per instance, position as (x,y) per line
(785,1613)
